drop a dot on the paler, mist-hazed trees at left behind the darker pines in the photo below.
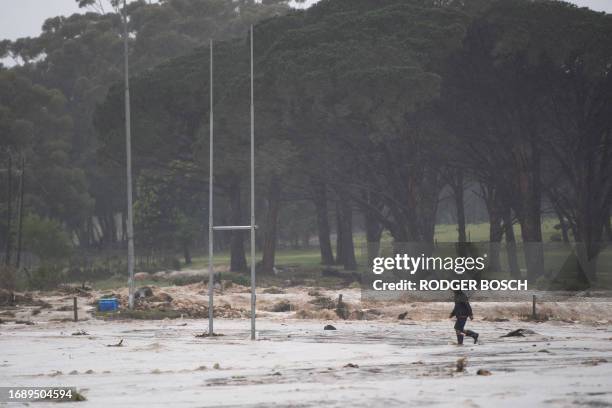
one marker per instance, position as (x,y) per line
(48,99)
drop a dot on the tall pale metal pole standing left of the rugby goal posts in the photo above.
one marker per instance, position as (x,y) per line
(128,149)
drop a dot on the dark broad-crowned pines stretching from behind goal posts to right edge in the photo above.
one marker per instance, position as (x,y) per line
(376,106)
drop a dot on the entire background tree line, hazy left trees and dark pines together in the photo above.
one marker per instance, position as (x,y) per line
(367,109)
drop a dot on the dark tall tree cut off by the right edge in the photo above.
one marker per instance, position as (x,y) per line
(578,113)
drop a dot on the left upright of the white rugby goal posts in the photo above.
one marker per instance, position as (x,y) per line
(210,204)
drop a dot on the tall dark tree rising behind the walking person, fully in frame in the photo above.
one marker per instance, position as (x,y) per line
(498,99)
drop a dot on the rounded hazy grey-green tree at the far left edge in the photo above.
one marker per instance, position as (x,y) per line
(33,124)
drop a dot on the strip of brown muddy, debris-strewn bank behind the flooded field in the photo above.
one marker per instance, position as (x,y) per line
(300,302)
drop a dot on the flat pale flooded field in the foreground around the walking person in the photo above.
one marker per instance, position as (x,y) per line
(295,363)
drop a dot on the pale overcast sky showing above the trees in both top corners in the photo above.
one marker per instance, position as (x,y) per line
(23,18)
